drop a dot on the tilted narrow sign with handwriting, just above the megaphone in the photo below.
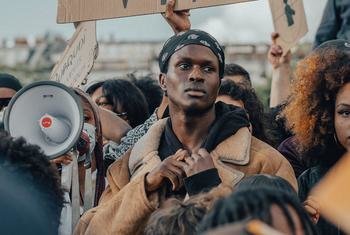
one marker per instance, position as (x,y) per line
(78,58)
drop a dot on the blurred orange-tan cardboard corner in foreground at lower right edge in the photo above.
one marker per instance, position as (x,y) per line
(332,194)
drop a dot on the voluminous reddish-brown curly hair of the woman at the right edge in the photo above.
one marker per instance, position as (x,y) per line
(310,109)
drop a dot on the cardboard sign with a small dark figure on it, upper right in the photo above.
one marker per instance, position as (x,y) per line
(289,21)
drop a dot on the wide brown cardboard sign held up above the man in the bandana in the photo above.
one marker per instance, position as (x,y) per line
(81,10)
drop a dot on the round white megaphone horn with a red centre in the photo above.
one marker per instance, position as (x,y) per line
(47,114)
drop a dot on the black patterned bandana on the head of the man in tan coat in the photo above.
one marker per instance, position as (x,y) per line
(192,36)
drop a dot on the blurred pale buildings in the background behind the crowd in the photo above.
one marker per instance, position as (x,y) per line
(34,61)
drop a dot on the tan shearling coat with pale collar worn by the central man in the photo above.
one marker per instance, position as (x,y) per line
(125,206)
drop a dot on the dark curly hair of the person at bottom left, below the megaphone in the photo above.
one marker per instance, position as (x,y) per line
(29,163)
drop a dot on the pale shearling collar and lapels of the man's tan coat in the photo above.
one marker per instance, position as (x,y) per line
(234,150)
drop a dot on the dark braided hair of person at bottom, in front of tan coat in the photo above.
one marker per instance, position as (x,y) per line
(256,204)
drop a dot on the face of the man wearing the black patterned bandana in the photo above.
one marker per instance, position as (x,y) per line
(192,81)
